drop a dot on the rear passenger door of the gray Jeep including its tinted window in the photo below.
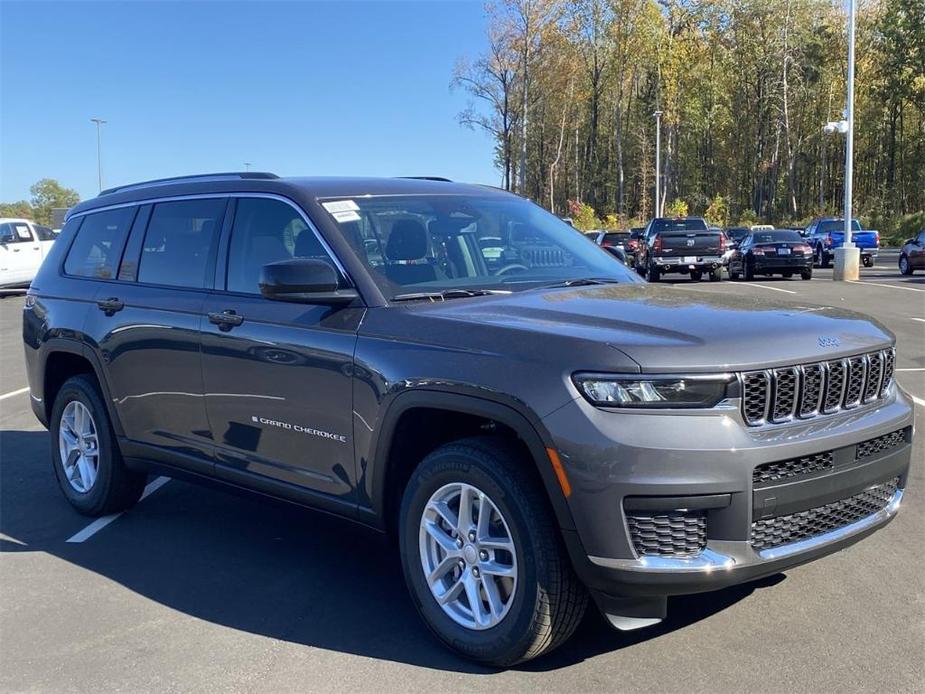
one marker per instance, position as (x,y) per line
(148,322)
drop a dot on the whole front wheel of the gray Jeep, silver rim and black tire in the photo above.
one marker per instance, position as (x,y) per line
(482,555)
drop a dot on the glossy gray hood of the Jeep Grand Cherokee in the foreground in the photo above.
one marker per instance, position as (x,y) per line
(669,329)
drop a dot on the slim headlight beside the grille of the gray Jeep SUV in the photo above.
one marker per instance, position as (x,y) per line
(642,391)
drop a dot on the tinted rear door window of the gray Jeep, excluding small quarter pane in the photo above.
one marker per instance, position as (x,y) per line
(179,241)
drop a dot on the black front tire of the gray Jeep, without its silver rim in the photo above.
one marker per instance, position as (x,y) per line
(548,601)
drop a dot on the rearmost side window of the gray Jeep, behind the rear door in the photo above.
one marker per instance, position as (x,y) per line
(98,246)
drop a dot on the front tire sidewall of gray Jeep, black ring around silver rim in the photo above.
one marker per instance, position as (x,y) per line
(512,636)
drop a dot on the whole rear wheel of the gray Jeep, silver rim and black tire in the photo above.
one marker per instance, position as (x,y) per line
(85,453)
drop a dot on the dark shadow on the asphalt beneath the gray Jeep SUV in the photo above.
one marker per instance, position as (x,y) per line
(267,568)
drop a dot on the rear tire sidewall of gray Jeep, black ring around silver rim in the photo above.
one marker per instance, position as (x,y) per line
(92,502)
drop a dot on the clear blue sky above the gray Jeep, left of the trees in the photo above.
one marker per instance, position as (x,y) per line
(297,88)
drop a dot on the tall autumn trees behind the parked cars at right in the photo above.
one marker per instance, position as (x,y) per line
(568,89)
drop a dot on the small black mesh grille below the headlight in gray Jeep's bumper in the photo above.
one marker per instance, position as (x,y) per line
(668,533)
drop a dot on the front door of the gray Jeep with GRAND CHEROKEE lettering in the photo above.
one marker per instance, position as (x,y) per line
(277,375)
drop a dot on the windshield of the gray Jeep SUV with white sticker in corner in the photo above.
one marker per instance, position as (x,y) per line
(435,243)
